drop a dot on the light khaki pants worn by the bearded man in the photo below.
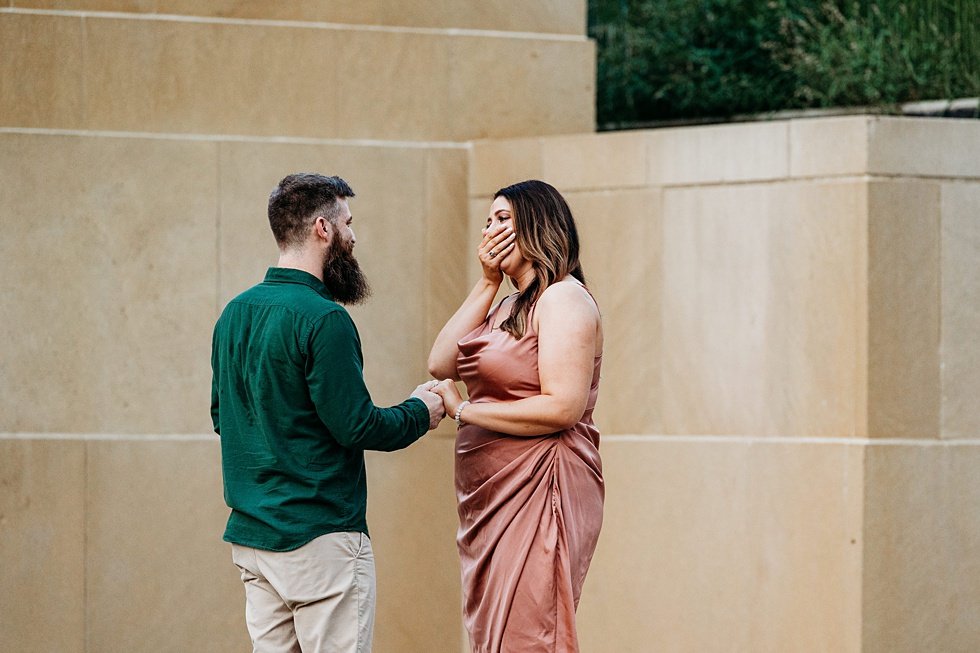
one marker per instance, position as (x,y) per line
(318,598)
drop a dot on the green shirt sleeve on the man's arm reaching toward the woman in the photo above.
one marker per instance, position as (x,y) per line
(335,373)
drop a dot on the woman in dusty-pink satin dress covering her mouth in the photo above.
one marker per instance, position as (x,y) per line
(528,474)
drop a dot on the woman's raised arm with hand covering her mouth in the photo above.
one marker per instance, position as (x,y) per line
(474,309)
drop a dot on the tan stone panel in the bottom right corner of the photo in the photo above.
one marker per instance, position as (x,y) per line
(922,549)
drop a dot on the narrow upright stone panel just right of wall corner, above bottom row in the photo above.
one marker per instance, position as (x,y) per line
(903,309)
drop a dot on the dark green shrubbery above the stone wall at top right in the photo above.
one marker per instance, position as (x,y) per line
(687,59)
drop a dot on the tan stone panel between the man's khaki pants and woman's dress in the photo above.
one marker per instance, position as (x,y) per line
(412,517)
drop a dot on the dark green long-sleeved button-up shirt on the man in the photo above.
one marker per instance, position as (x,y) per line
(289,402)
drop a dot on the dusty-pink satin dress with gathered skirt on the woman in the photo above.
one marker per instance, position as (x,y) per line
(530,508)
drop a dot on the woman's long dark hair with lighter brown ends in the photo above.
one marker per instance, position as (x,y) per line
(545,232)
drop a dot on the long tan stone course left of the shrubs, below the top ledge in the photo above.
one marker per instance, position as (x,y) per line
(299,80)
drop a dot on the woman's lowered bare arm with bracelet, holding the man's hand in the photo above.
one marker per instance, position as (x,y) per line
(569,337)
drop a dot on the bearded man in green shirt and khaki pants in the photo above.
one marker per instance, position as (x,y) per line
(289,402)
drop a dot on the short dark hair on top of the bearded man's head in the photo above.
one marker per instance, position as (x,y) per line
(298,199)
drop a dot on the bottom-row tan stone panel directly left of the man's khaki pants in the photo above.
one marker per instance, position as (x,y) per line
(159,578)
